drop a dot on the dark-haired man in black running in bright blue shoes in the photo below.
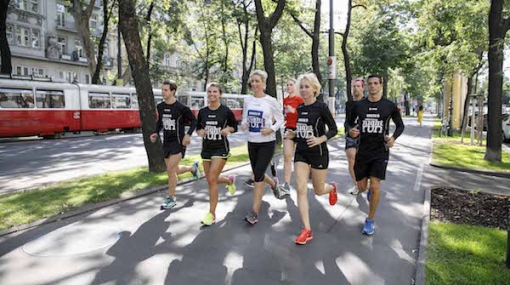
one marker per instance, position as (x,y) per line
(373,114)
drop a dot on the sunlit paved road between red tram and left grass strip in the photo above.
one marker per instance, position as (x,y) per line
(30,164)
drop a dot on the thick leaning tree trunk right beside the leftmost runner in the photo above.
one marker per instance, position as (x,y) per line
(129,28)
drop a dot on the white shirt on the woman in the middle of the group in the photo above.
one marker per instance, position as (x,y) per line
(259,113)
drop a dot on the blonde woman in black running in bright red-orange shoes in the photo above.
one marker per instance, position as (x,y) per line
(311,149)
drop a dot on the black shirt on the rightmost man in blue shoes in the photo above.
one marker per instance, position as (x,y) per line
(373,124)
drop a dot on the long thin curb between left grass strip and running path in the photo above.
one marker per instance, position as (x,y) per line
(88,208)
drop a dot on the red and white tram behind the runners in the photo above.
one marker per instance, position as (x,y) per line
(50,109)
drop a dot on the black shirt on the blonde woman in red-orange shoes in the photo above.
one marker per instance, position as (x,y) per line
(312,121)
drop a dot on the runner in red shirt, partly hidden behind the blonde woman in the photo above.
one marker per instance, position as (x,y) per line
(290,104)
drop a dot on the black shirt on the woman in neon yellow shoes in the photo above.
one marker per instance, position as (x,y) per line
(213,121)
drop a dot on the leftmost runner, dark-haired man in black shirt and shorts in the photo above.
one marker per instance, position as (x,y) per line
(171,117)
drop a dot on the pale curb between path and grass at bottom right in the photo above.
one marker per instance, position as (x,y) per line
(422,252)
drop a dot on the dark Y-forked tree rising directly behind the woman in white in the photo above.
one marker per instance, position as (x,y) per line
(266,26)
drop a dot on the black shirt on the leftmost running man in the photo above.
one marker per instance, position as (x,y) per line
(171,118)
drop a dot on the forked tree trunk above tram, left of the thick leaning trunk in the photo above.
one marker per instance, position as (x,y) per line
(81,19)
